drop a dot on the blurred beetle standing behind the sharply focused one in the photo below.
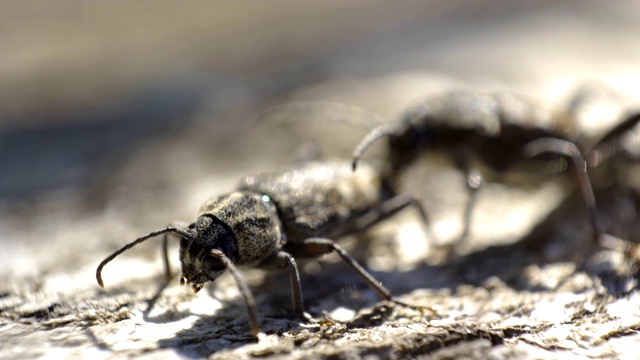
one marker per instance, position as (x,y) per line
(503,129)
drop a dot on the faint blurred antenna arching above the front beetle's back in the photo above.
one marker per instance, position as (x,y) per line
(320,111)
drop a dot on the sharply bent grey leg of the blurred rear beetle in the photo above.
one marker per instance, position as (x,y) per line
(570,150)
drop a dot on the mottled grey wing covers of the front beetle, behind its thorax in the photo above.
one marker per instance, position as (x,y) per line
(320,198)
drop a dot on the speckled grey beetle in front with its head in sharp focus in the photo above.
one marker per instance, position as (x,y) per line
(273,218)
